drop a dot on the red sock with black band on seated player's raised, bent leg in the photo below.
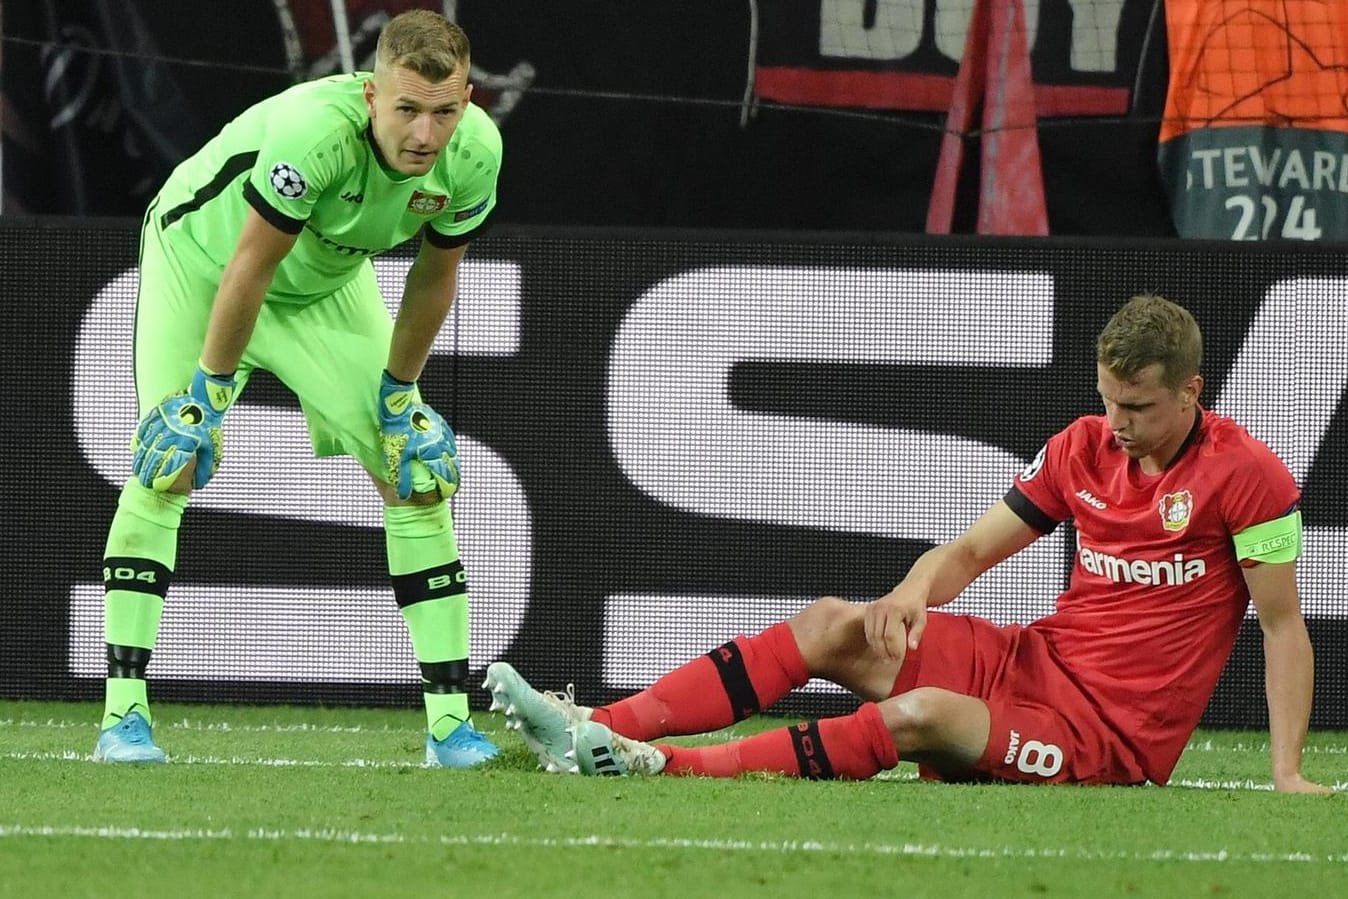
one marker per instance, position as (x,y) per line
(714,691)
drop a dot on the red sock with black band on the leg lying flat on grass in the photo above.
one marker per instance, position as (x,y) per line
(854,747)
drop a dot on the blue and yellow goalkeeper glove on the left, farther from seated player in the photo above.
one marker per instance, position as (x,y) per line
(181,428)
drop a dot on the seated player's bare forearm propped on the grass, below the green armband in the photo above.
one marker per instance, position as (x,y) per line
(1289,683)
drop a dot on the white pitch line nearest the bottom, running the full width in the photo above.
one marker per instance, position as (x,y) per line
(791,847)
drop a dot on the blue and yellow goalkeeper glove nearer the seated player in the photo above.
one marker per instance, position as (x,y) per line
(413,432)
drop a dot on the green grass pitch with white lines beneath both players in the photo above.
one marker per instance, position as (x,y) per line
(304,803)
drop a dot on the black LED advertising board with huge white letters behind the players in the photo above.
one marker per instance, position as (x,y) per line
(545,405)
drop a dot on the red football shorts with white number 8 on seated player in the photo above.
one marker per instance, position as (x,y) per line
(1045,730)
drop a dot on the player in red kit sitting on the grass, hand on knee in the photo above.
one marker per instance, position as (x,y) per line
(1182,521)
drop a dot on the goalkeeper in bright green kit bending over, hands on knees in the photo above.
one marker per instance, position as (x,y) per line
(257,255)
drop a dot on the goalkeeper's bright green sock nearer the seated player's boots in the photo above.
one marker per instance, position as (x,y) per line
(432,594)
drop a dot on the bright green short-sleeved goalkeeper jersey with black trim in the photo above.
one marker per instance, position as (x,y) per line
(307,161)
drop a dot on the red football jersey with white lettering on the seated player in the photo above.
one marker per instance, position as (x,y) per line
(1156,596)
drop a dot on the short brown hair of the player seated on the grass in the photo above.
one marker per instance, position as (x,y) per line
(1152,331)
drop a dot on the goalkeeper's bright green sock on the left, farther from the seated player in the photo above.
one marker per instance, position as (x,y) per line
(137,567)
